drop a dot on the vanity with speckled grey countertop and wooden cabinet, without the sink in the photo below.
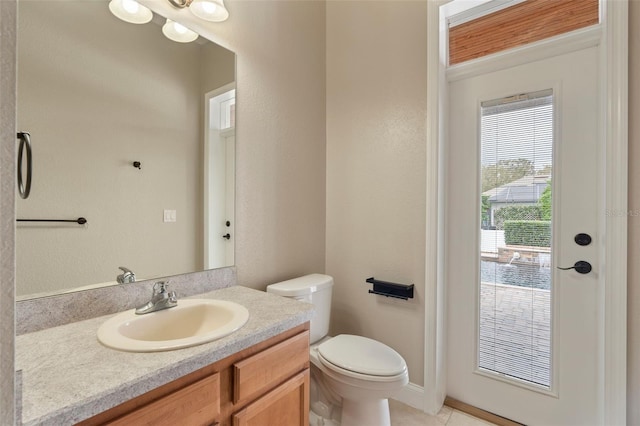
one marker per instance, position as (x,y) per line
(257,375)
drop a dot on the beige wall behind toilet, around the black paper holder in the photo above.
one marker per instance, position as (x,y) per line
(376,159)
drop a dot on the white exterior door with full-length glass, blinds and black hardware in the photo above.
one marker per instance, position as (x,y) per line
(524,340)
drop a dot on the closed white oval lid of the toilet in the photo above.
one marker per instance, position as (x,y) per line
(362,355)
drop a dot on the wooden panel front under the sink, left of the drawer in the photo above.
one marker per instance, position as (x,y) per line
(195,404)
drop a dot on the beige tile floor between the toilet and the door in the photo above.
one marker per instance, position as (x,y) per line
(403,415)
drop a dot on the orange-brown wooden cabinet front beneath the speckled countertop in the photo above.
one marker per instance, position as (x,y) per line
(268,382)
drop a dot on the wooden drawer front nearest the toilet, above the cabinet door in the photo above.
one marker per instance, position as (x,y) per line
(267,369)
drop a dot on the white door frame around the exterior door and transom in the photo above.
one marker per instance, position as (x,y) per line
(612,36)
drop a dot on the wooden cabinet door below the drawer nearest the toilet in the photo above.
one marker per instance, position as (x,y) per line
(286,405)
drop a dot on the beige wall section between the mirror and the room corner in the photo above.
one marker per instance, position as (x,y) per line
(280,152)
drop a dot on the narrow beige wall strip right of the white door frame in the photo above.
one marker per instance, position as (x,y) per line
(633,288)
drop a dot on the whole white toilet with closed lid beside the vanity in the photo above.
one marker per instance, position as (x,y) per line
(351,376)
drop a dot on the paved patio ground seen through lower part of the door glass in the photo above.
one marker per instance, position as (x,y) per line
(515,332)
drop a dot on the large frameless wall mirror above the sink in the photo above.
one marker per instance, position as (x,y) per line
(131,131)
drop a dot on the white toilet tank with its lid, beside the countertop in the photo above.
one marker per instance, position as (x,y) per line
(315,289)
